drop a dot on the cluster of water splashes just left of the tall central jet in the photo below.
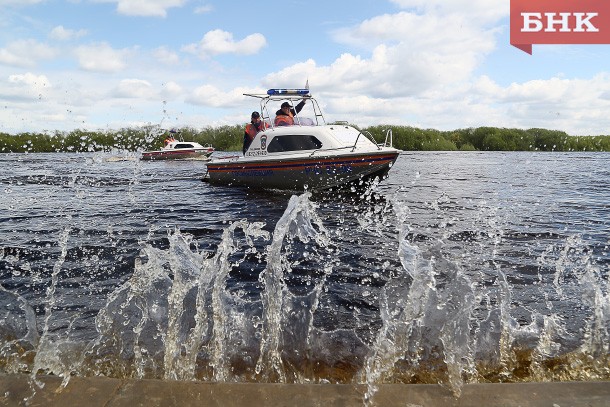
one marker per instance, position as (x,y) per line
(176,303)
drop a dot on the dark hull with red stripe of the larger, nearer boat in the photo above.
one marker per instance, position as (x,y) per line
(312,173)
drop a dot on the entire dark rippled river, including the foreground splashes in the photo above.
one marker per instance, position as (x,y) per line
(460,267)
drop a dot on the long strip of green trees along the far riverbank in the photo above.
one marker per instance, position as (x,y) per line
(229,138)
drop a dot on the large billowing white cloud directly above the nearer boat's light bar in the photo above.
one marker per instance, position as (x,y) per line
(420,53)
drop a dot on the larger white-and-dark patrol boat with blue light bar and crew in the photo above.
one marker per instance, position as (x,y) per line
(308,154)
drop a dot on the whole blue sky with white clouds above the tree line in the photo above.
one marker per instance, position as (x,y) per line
(440,64)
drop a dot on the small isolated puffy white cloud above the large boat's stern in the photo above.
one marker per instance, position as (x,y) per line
(221,42)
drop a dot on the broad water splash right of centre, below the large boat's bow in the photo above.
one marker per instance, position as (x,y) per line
(426,313)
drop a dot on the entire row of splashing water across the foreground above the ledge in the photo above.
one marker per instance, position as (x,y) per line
(257,309)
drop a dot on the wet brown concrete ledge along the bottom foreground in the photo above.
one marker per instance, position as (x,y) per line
(101,391)
